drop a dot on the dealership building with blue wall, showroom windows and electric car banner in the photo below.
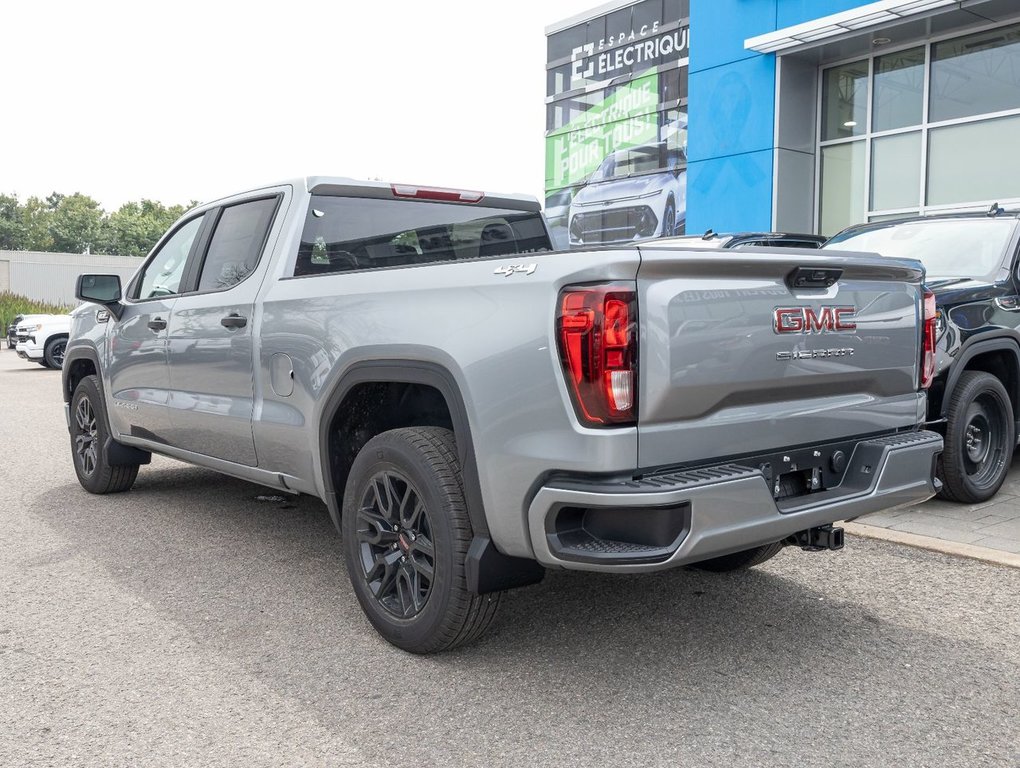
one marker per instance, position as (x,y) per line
(795,116)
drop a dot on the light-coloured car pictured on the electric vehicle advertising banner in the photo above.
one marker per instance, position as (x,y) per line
(630,197)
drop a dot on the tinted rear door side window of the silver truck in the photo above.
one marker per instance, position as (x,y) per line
(237,244)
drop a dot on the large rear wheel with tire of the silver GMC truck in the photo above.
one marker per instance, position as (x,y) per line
(406,533)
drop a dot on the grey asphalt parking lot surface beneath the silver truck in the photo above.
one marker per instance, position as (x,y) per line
(189,623)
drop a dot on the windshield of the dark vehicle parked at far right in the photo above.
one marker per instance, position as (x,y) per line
(949,248)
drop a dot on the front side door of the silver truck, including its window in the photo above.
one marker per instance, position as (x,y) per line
(139,380)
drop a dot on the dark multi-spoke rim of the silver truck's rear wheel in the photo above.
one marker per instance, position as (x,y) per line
(395,543)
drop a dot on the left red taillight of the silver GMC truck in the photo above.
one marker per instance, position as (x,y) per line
(597,332)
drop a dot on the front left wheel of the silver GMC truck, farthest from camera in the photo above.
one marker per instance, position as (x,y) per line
(89,433)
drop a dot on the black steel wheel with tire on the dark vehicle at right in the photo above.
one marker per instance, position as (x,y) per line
(980,439)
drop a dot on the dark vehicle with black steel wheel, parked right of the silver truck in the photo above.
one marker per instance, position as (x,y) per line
(974,271)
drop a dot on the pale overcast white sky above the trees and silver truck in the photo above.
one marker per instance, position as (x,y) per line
(183,100)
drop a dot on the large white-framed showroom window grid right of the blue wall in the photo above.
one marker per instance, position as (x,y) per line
(926,129)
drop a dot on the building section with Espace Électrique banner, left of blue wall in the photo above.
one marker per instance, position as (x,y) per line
(617,126)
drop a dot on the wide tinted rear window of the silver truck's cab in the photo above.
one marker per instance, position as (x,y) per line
(343,234)
